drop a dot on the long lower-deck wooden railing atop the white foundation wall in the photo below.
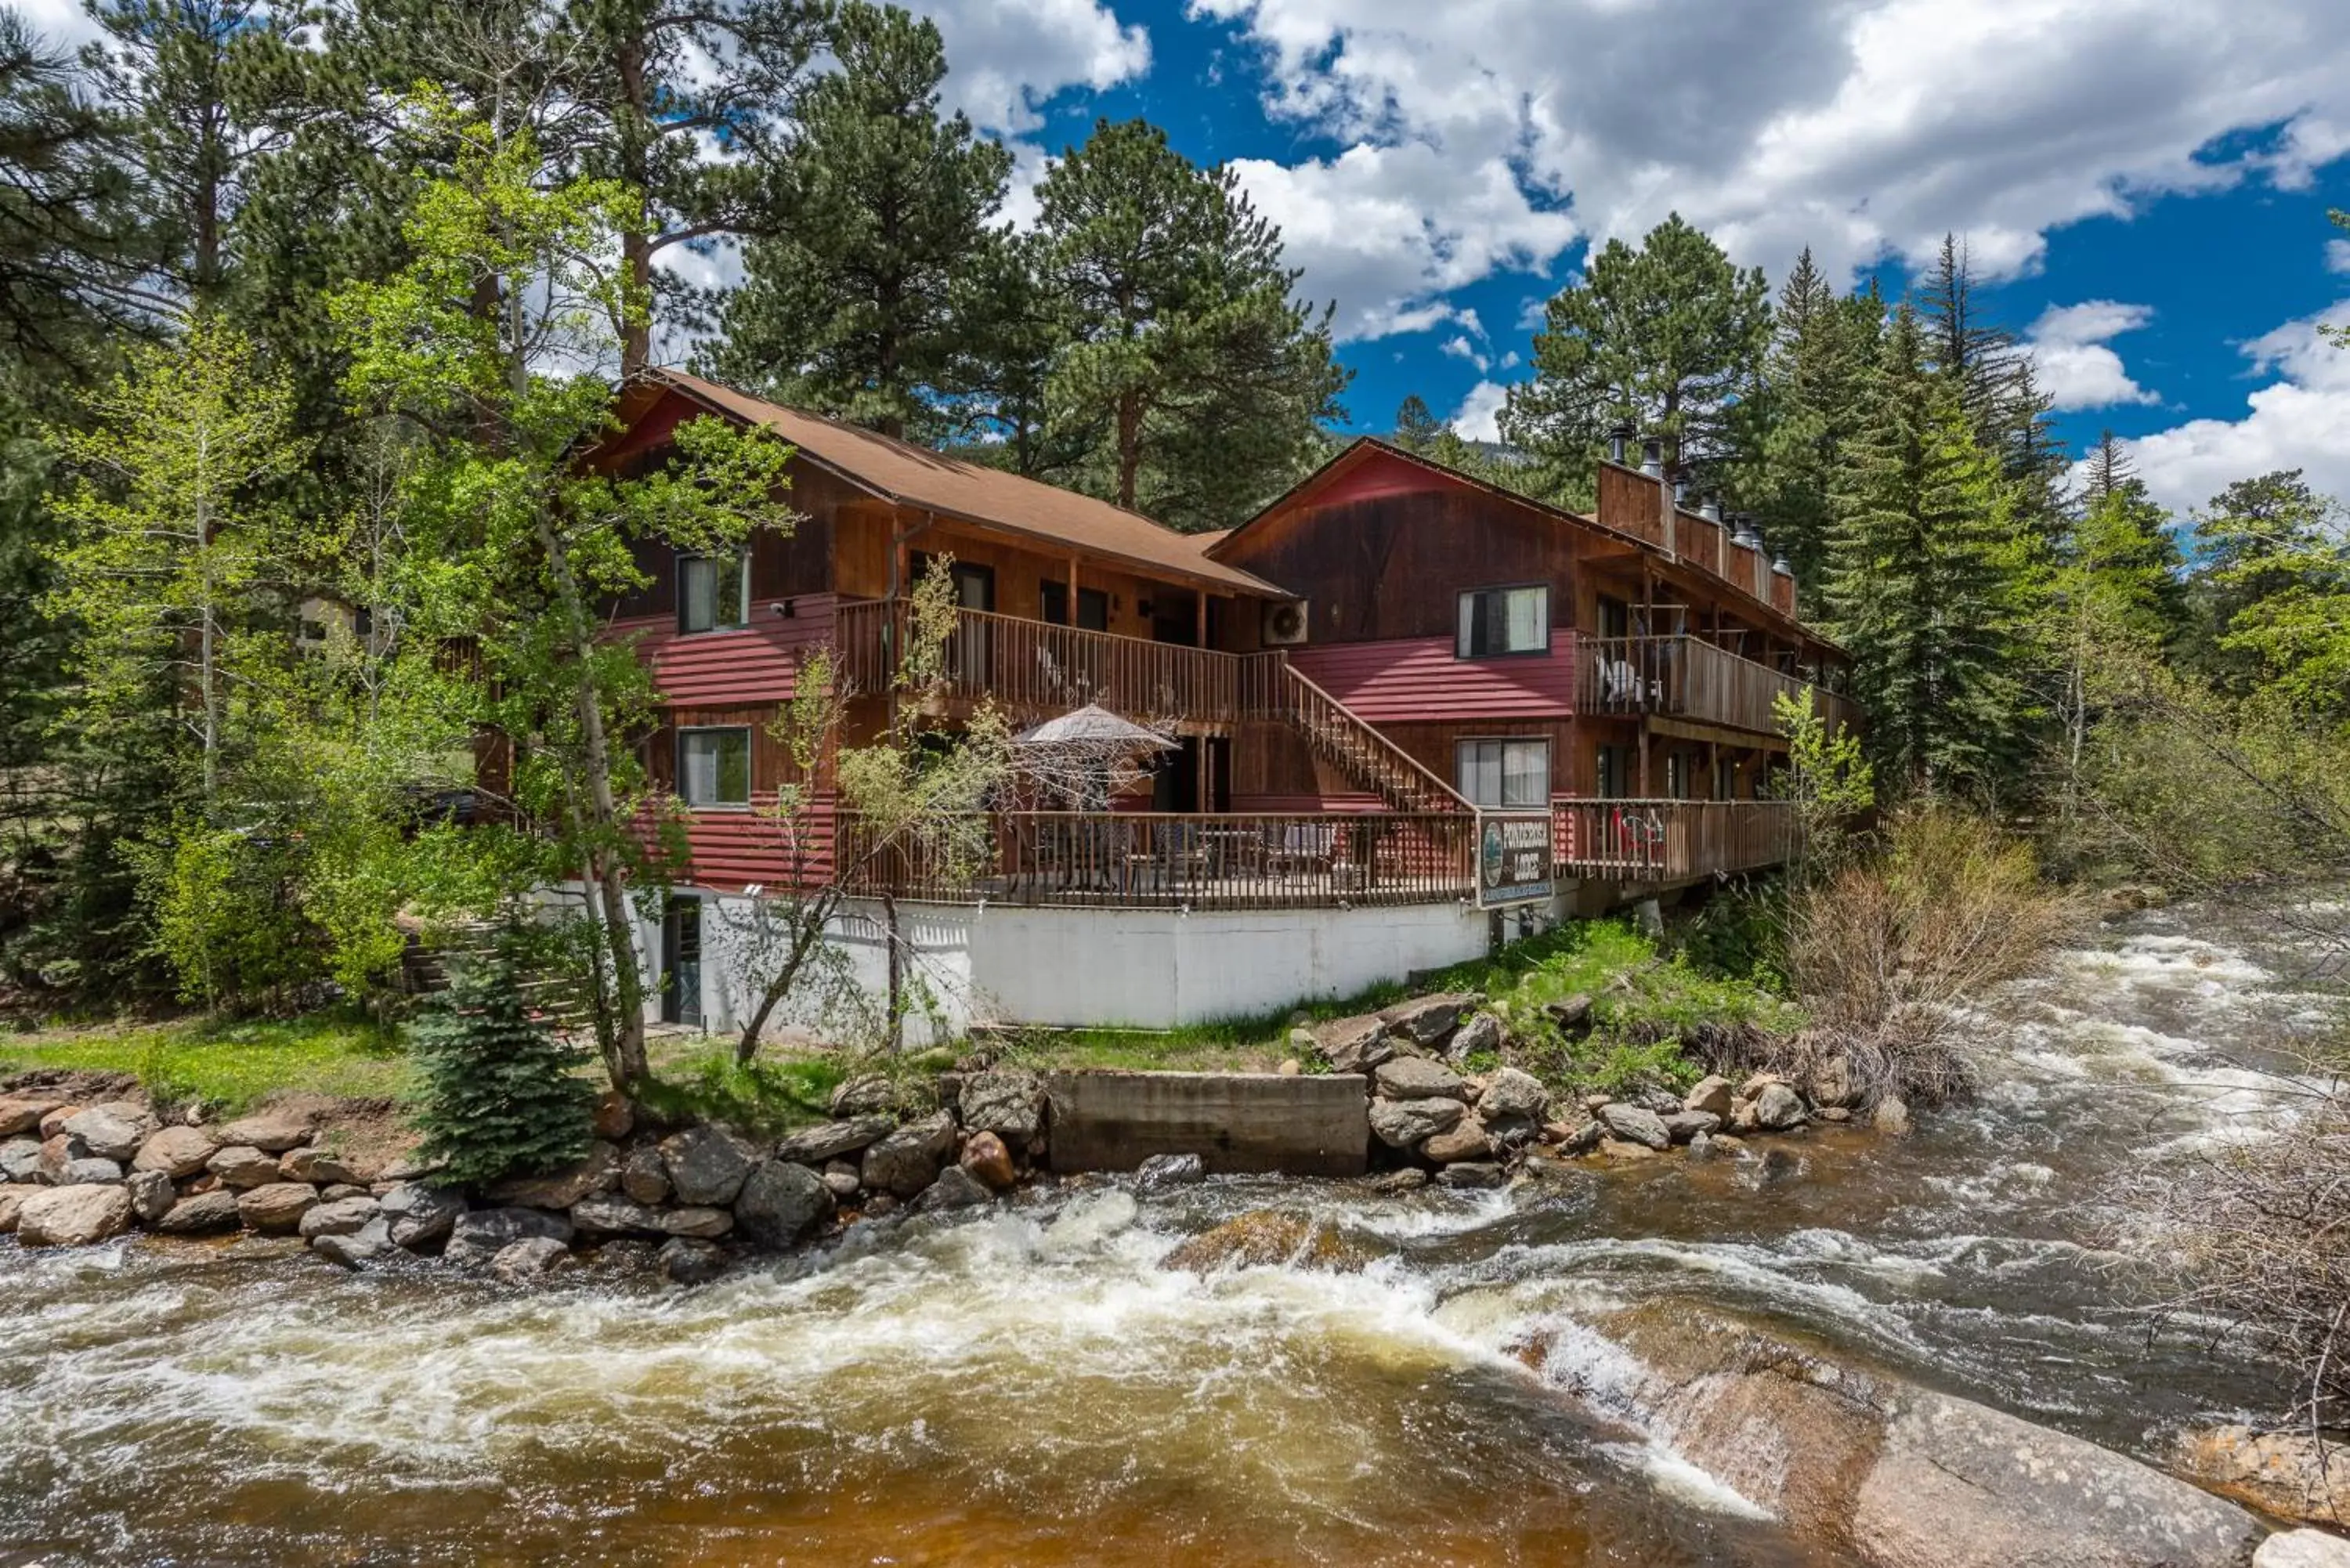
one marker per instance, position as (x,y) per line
(1197,862)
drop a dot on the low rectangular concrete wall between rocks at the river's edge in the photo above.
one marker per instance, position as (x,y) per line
(1237,1123)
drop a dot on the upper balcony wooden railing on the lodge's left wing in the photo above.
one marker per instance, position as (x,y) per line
(1035,666)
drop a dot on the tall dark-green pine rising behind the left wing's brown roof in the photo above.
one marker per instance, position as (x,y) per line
(854,307)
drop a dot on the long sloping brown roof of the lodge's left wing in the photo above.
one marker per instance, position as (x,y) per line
(936,483)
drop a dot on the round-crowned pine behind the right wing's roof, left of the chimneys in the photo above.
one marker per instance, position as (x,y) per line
(1667,337)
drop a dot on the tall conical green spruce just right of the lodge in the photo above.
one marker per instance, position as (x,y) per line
(1928,579)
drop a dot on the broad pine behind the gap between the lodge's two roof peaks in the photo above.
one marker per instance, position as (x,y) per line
(1190,377)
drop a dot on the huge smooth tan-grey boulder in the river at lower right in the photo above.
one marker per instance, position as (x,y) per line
(1893,1473)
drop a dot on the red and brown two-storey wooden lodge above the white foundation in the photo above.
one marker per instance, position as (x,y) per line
(1357,678)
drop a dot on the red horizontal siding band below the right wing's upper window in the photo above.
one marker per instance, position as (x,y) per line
(1421,681)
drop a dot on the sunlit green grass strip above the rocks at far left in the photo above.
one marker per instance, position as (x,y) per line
(229,1064)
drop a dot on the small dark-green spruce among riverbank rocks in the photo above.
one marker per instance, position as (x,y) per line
(502,1092)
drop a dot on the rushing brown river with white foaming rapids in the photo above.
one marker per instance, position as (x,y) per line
(1030,1386)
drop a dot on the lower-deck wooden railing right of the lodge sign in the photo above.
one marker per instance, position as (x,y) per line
(1670,840)
